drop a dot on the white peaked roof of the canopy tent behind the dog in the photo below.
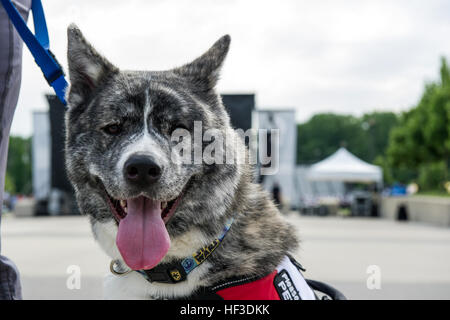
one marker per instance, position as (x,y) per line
(344,166)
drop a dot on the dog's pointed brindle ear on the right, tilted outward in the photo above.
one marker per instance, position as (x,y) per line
(204,71)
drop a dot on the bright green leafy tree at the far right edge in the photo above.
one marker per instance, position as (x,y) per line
(421,142)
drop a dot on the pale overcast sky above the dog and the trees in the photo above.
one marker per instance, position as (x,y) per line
(346,57)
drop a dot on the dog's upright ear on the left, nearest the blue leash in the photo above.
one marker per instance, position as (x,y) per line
(87,68)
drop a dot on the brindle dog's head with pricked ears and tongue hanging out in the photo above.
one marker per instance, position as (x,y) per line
(123,156)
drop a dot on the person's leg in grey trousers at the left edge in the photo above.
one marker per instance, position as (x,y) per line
(10,77)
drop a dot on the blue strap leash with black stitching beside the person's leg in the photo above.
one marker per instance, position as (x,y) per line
(39,45)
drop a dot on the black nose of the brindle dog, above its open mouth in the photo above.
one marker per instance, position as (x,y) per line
(142,170)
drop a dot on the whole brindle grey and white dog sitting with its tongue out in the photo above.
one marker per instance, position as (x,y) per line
(149,211)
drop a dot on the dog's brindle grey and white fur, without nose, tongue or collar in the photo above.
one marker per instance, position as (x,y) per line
(149,104)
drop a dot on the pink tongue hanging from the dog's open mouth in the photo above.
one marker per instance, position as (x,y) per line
(142,238)
